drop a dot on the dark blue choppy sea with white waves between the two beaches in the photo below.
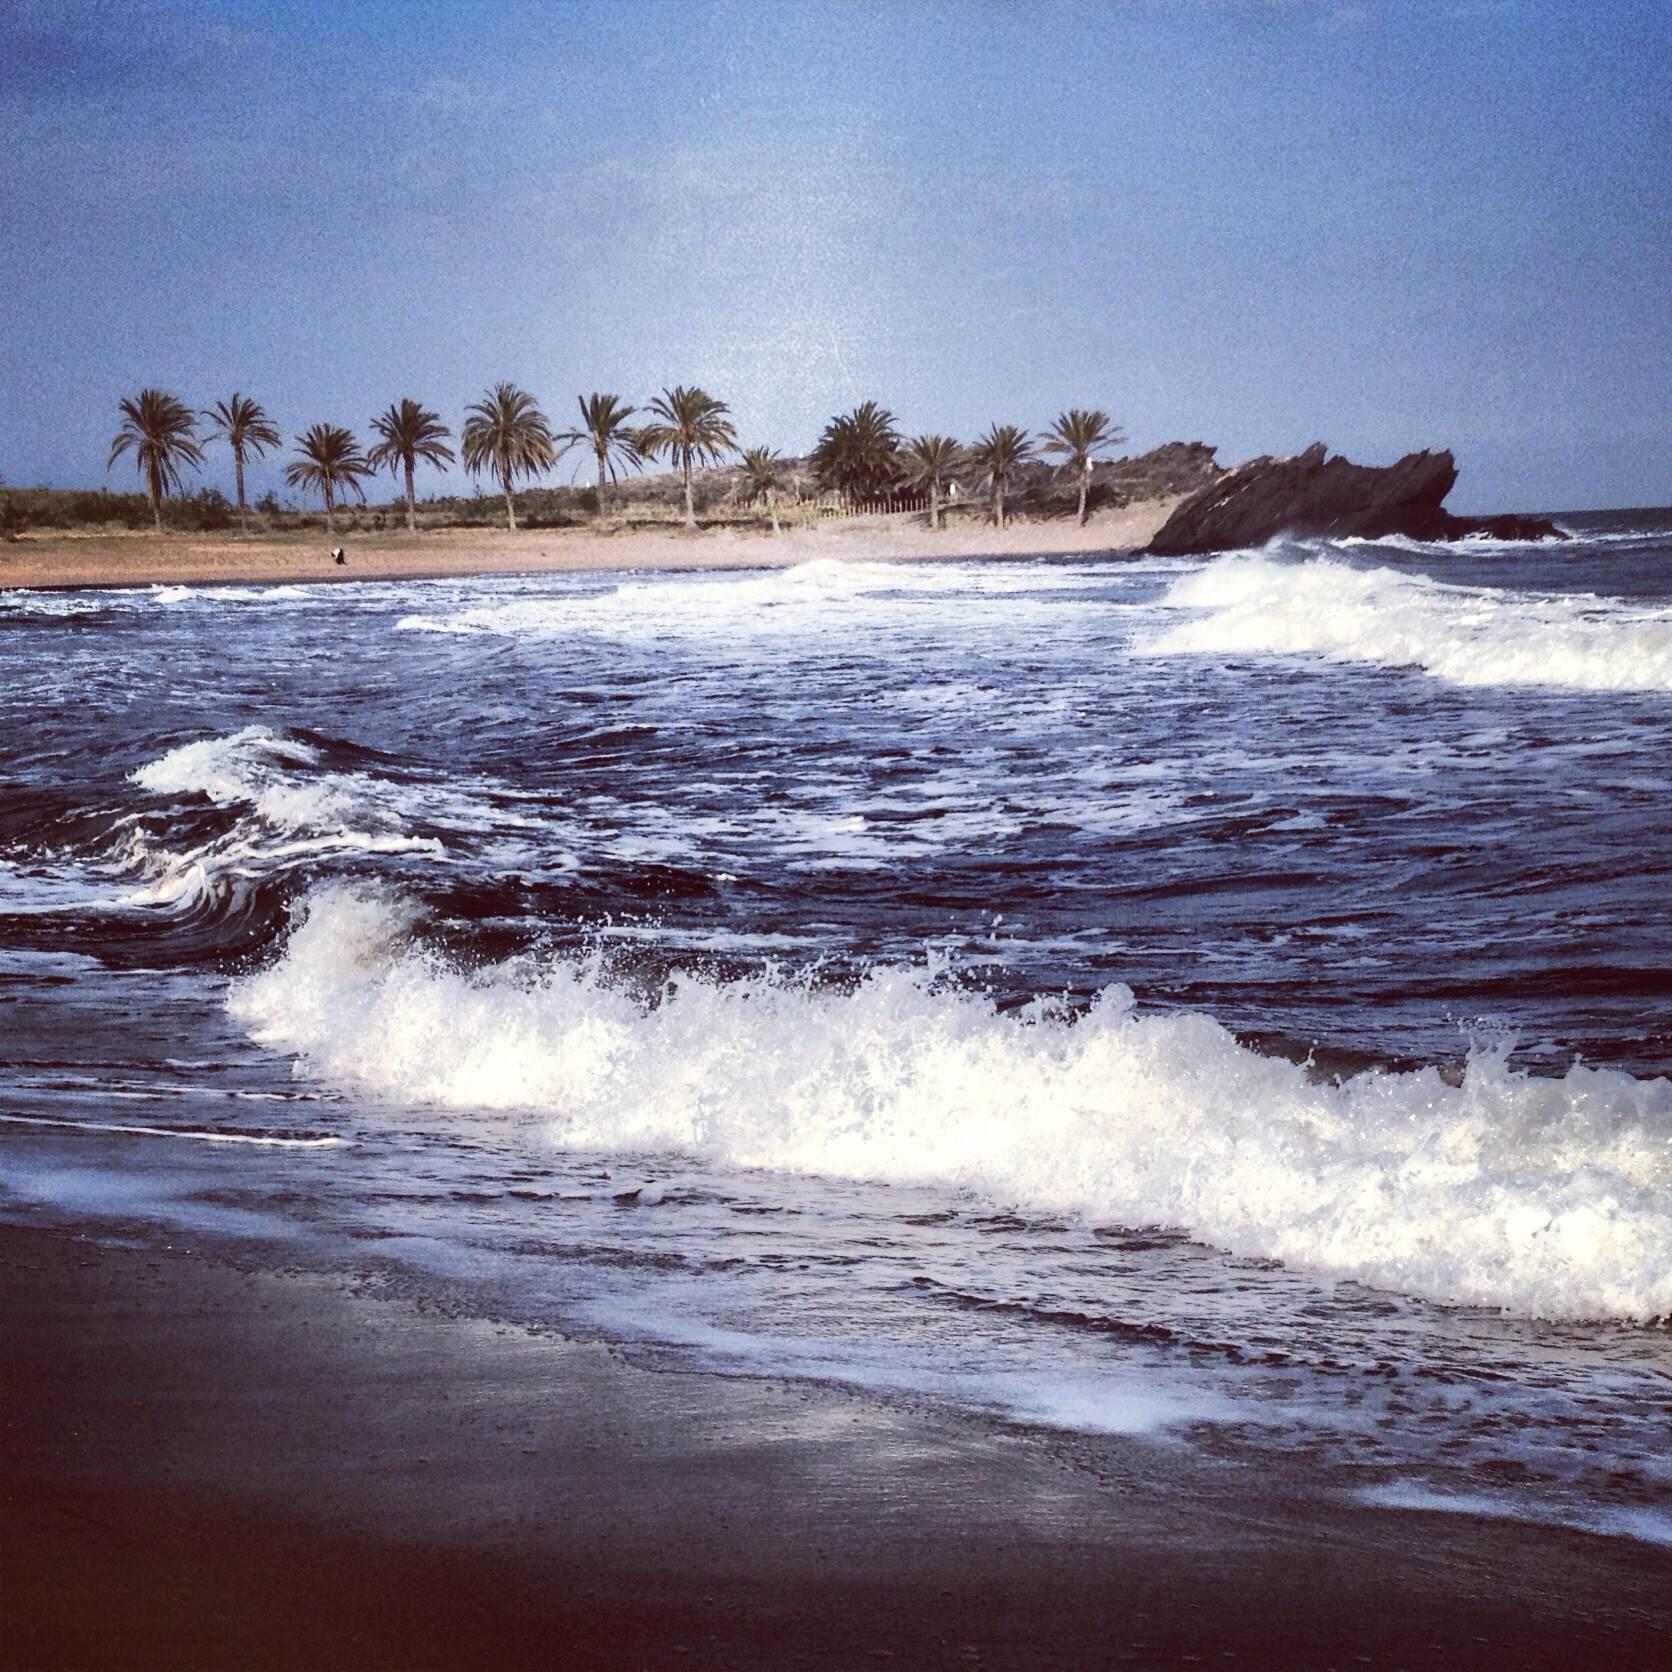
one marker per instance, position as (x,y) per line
(1218,1002)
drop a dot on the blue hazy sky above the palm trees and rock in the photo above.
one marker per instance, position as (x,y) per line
(1258,223)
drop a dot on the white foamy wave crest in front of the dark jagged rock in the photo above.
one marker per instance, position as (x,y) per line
(1469,636)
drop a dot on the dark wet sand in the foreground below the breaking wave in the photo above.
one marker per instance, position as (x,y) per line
(213,1467)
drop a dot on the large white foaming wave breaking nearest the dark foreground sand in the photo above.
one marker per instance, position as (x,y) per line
(1542,1196)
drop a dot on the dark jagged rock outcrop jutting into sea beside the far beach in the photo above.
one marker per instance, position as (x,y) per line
(1313,494)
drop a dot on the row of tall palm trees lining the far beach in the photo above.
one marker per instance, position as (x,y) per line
(507,437)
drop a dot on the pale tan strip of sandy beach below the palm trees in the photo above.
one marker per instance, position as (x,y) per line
(146,559)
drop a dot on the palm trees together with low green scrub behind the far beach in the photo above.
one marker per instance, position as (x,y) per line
(864,464)
